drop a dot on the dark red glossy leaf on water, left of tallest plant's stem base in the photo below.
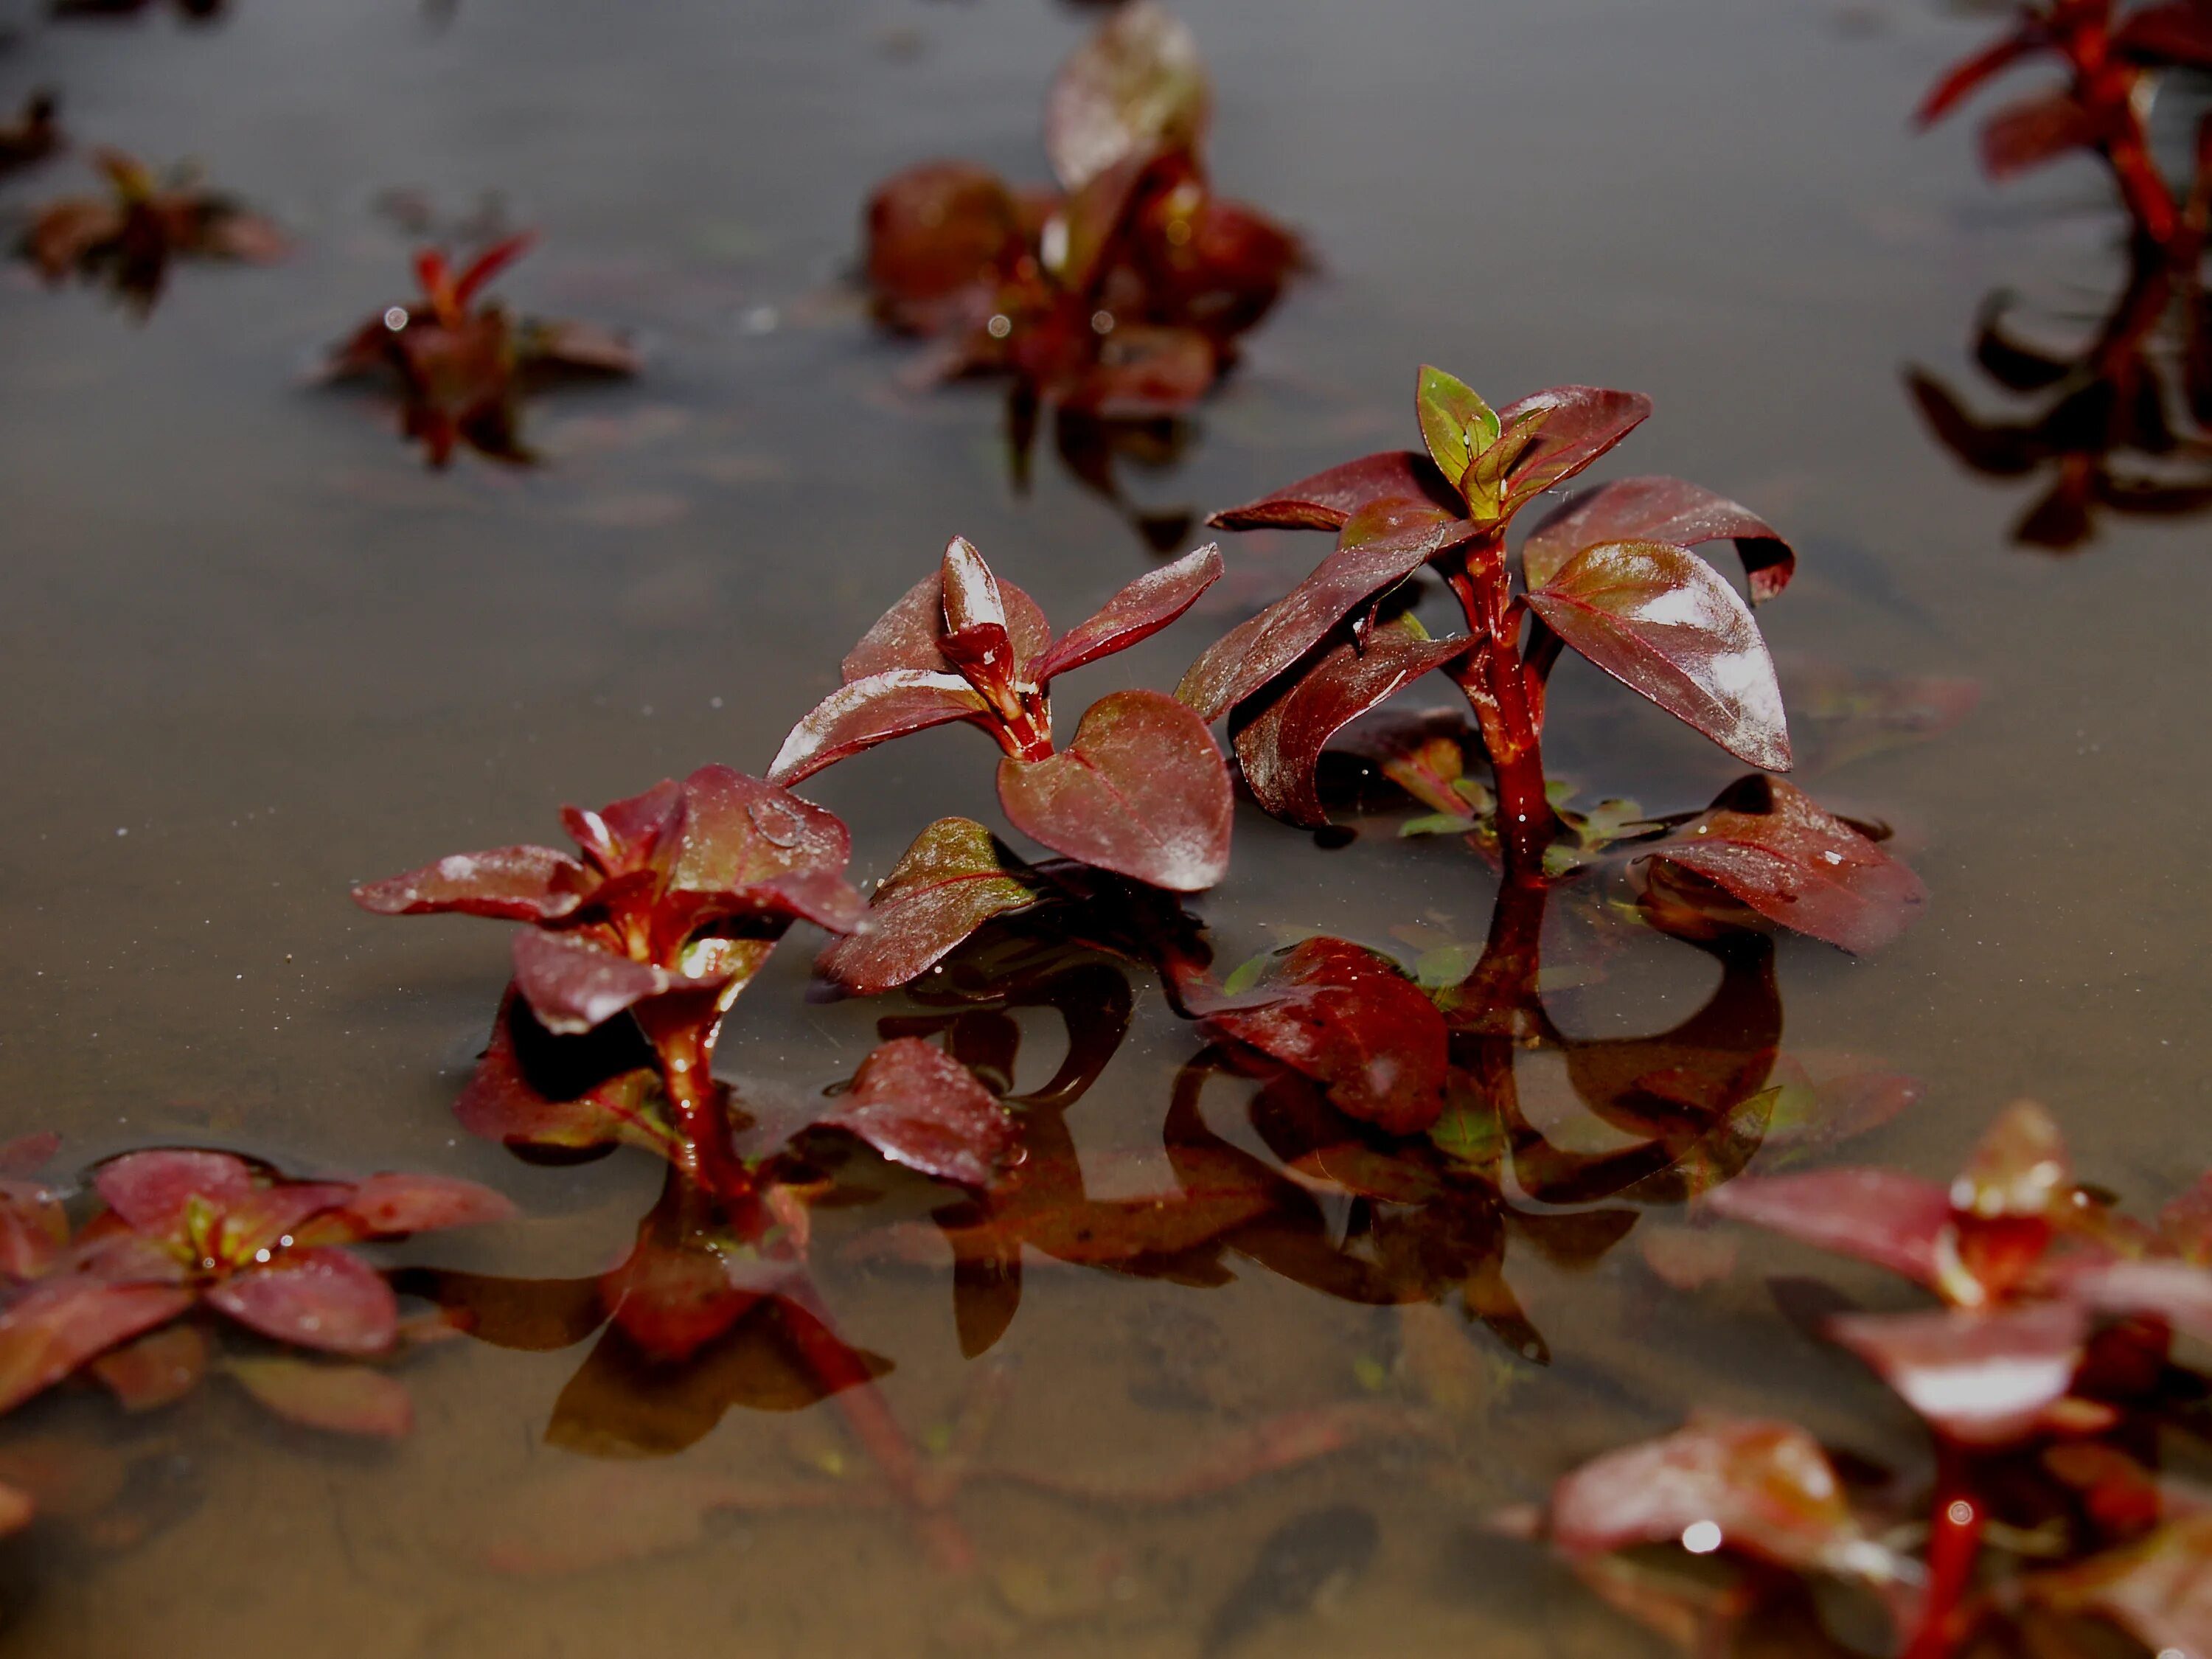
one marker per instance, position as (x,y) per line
(1353,1023)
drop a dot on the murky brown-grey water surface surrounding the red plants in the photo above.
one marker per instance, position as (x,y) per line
(253,651)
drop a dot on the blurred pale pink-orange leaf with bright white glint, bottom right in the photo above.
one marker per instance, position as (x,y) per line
(1764,1485)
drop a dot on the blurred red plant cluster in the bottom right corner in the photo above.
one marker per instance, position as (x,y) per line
(2045,1379)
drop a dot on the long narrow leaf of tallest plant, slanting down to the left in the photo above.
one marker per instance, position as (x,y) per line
(1381,547)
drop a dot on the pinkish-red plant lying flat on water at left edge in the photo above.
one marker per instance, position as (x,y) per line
(207,1231)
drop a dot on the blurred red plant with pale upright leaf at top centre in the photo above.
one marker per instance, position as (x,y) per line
(1120,302)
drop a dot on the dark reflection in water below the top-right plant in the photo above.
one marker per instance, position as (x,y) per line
(2122,426)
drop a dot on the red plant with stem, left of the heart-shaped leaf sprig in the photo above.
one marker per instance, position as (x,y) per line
(665,915)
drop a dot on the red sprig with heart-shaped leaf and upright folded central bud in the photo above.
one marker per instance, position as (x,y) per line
(1140,791)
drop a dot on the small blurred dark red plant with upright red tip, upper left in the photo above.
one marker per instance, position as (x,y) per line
(463,364)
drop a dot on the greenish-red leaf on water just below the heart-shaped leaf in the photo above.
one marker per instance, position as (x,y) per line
(954,879)
